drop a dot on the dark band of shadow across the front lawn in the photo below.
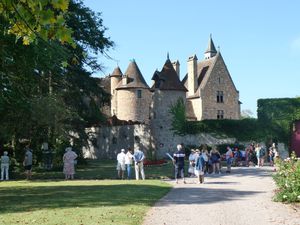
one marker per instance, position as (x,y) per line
(29,198)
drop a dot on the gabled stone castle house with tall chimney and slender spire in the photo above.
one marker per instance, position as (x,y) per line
(211,91)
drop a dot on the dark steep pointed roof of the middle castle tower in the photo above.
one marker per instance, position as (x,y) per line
(167,78)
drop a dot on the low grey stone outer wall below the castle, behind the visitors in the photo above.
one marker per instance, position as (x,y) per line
(106,142)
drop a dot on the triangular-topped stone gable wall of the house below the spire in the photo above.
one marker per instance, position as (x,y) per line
(220,81)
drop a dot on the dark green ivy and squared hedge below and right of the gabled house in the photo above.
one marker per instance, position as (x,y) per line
(275,117)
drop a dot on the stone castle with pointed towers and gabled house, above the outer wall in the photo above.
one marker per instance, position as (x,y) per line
(207,89)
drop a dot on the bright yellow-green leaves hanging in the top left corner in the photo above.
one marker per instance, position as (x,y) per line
(35,19)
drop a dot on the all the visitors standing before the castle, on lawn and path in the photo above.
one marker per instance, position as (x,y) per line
(201,161)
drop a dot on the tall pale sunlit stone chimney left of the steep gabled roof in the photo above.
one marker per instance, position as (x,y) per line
(192,74)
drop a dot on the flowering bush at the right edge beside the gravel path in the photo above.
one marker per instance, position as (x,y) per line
(287,180)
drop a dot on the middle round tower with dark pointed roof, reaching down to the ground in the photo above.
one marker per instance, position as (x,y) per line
(168,89)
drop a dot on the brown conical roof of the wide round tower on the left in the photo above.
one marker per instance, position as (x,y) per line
(134,76)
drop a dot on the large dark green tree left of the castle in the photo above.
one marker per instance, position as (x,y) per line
(40,98)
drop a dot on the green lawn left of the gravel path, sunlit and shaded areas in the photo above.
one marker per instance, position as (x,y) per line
(90,199)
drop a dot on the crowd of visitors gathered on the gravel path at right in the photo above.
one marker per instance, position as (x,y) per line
(202,162)
